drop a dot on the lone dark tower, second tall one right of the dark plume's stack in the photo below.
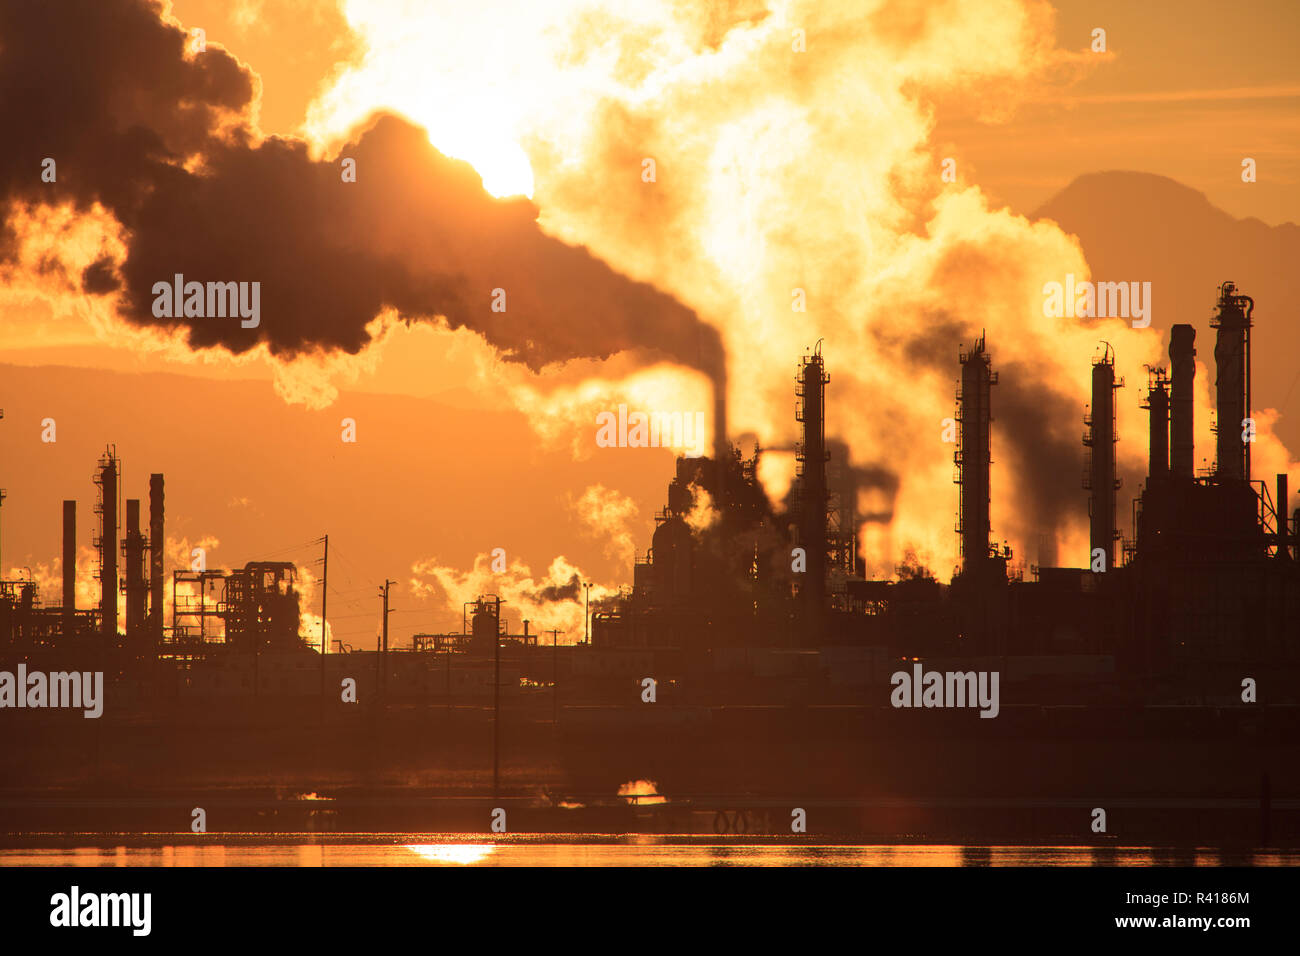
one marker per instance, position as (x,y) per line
(973,457)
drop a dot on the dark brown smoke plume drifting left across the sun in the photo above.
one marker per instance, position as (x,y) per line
(162,139)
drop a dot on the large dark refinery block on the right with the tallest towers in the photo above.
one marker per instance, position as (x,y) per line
(1211,576)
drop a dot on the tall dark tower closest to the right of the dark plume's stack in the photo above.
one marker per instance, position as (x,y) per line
(812,457)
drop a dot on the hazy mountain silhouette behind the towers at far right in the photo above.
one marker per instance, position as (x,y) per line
(1138,227)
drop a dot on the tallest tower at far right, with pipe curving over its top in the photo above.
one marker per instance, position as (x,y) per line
(1233,386)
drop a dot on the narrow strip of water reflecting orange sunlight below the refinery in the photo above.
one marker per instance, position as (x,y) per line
(590,850)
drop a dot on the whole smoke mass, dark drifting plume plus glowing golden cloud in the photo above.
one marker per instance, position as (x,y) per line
(798,196)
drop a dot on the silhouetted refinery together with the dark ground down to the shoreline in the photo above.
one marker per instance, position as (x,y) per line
(752,624)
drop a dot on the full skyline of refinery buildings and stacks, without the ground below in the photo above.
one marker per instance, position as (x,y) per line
(1211,576)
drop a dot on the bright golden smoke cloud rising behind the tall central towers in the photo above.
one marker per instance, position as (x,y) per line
(799,197)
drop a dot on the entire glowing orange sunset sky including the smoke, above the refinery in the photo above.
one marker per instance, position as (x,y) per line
(796,146)
